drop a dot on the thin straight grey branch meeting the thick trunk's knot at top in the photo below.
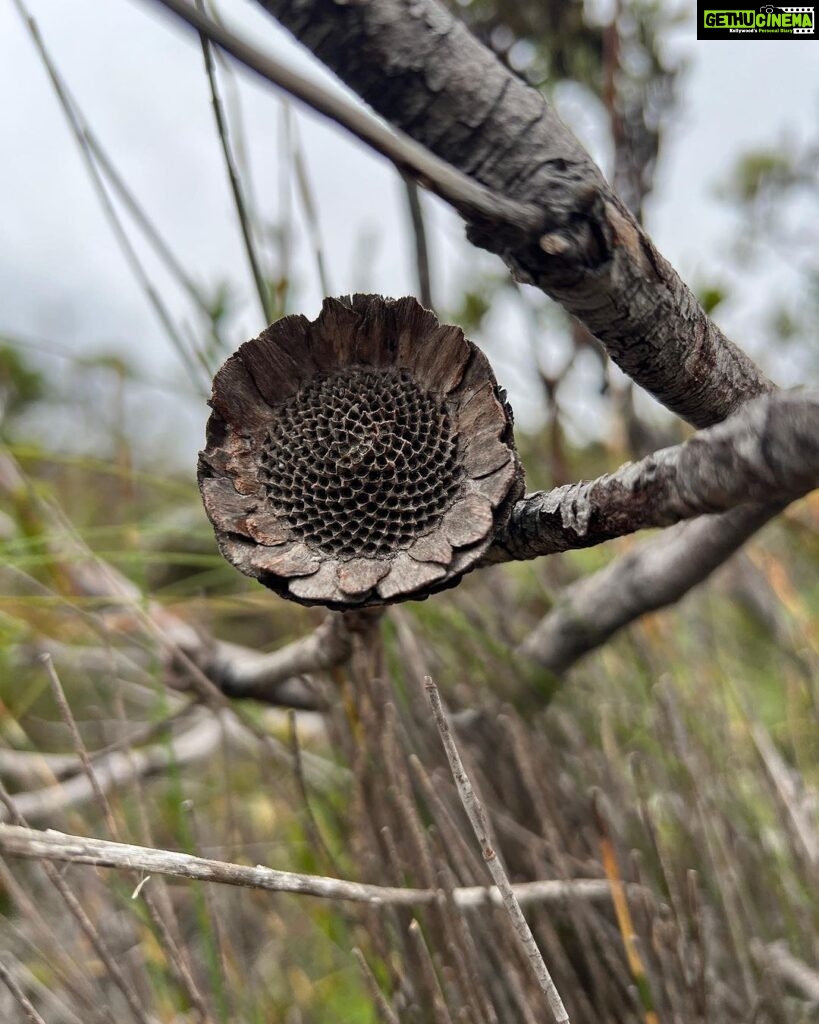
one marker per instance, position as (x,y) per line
(404,152)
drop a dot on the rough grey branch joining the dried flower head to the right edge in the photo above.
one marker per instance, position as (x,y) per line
(768,451)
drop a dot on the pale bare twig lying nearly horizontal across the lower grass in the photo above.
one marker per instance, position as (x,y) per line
(50,845)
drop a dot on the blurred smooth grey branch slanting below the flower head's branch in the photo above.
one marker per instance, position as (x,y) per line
(652,577)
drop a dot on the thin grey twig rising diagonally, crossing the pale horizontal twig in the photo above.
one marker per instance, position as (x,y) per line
(478,818)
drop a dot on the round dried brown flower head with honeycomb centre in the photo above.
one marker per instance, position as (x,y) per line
(367,457)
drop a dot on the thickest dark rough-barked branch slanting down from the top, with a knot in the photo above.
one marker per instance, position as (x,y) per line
(422,70)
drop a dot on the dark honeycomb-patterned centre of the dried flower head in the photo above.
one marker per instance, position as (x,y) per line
(361,463)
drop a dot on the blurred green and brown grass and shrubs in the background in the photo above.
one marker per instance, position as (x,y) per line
(688,746)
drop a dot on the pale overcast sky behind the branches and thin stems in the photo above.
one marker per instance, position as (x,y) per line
(139,80)
